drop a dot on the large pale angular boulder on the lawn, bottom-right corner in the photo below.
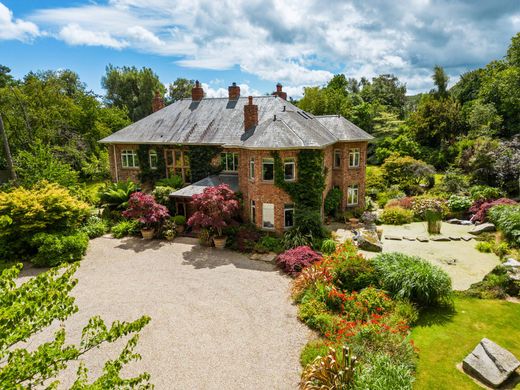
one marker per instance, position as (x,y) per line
(490,363)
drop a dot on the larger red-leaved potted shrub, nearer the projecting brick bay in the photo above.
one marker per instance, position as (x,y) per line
(215,209)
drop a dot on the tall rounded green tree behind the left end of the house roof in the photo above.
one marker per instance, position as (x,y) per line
(131,89)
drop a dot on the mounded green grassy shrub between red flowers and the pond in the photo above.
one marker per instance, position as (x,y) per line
(413,279)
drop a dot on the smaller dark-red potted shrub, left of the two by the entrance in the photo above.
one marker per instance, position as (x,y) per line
(147,211)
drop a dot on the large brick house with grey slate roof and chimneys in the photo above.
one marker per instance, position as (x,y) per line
(247,130)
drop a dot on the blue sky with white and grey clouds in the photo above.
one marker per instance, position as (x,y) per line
(257,43)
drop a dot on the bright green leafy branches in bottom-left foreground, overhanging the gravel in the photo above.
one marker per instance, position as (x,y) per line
(31,307)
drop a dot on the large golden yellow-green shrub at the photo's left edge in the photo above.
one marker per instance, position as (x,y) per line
(47,207)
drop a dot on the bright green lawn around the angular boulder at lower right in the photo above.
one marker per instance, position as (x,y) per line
(444,338)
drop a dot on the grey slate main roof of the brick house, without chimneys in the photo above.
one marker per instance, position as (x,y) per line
(219,121)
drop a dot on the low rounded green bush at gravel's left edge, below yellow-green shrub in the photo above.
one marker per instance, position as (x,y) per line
(54,249)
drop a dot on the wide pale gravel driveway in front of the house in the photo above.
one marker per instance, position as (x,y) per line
(219,320)
